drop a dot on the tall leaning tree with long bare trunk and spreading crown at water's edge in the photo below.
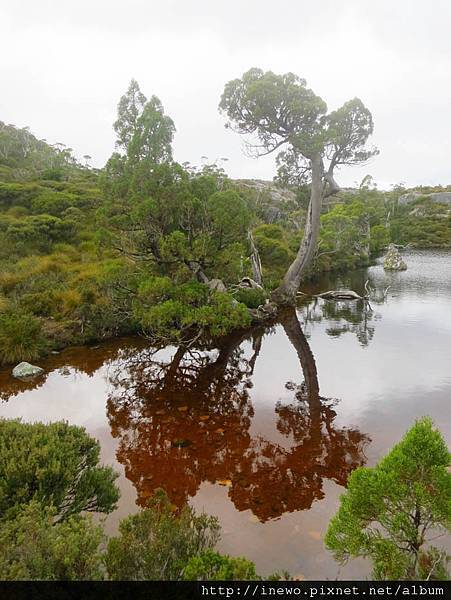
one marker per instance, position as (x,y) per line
(281,112)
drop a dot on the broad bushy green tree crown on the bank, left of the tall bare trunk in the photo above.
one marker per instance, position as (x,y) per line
(182,222)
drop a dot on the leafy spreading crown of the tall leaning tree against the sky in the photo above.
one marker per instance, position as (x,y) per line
(281,109)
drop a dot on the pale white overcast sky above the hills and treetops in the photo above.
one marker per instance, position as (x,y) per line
(64,64)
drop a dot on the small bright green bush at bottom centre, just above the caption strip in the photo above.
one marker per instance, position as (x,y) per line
(212,566)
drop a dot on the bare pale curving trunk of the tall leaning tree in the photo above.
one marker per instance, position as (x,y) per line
(285,294)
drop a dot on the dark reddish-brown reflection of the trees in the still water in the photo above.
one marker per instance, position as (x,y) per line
(184,421)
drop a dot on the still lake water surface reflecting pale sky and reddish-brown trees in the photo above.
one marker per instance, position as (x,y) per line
(264,430)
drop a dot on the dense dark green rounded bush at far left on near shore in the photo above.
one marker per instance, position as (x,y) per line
(53,464)
